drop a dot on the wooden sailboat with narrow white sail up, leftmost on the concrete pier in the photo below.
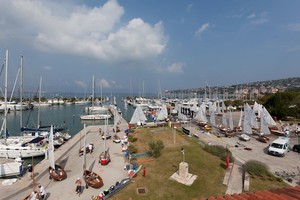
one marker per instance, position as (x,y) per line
(56,172)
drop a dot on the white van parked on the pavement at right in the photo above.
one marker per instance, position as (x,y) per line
(279,147)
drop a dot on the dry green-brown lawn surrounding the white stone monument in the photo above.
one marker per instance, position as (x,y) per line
(157,183)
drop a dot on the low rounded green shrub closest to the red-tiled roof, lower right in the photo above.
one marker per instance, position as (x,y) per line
(257,168)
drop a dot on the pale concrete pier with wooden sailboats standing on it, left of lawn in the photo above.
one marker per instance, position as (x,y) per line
(67,156)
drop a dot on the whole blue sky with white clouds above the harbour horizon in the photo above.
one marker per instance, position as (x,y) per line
(145,46)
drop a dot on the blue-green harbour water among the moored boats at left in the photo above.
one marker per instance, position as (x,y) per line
(59,115)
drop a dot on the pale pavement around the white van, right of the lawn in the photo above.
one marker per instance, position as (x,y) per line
(255,150)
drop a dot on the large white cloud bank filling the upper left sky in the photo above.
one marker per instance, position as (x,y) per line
(66,28)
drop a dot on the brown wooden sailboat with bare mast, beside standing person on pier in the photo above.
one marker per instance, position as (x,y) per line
(91,178)
